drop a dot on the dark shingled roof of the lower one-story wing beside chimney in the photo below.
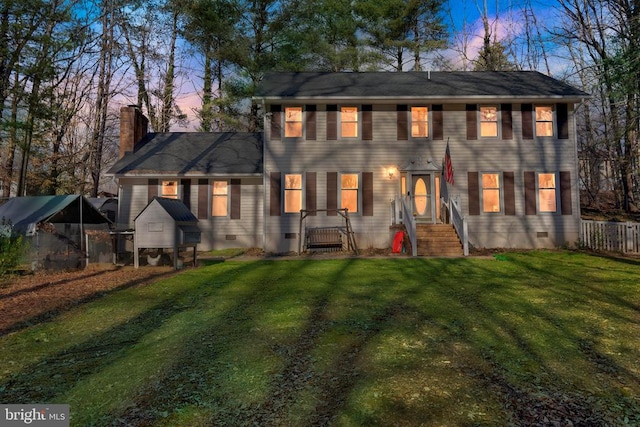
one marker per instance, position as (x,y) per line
(193,153)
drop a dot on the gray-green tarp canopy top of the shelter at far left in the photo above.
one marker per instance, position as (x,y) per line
(25,213)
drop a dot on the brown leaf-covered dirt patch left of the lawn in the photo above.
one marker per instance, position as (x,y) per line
(31,298)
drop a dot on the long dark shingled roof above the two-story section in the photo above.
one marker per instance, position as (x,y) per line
(412,85)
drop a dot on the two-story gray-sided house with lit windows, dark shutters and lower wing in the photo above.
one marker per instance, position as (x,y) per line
(369,142)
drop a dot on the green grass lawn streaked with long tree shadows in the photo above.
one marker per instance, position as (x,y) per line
(529,338)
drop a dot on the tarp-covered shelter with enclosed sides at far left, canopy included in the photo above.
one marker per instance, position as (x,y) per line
(57,228)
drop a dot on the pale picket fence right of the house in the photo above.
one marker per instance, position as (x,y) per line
(610,236)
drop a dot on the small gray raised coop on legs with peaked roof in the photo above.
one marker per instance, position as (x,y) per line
(165,223)
